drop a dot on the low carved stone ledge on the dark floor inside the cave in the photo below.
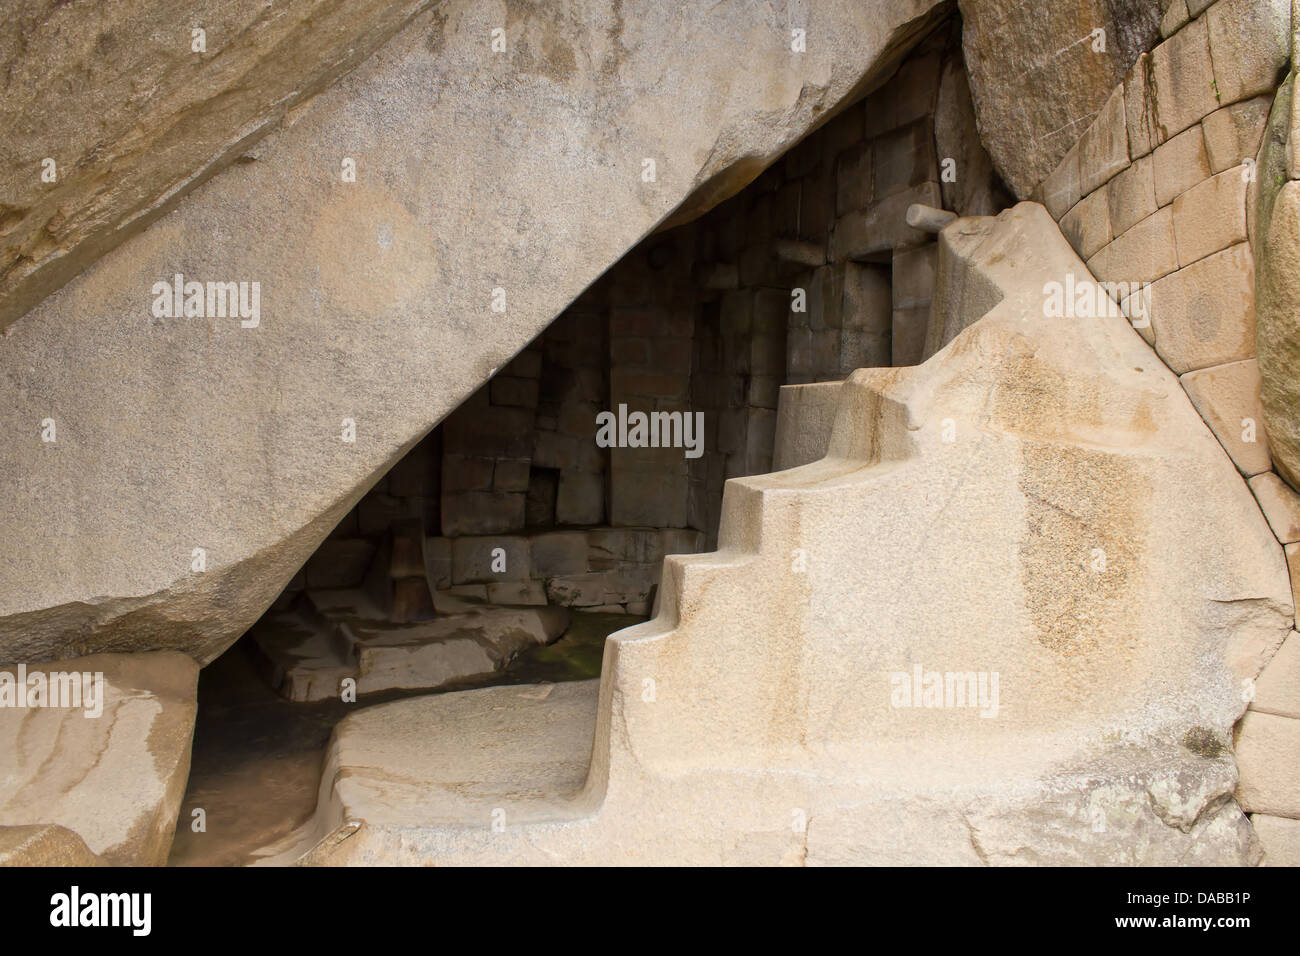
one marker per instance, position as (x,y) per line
(328,637)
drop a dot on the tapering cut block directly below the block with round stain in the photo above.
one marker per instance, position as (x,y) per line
(1228,397)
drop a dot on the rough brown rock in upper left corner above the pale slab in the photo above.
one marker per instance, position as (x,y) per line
(170,109)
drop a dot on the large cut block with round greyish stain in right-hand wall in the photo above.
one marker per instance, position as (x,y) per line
(1204,315)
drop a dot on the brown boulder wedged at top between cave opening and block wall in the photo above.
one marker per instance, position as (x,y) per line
(1039,73)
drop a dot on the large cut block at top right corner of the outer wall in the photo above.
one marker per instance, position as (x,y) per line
(1251,45)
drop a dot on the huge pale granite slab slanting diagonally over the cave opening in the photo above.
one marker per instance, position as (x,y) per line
(483,183)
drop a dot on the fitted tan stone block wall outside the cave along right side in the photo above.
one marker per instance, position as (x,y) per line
(1158,192)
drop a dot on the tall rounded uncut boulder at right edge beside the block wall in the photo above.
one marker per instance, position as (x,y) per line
(1277,309)
